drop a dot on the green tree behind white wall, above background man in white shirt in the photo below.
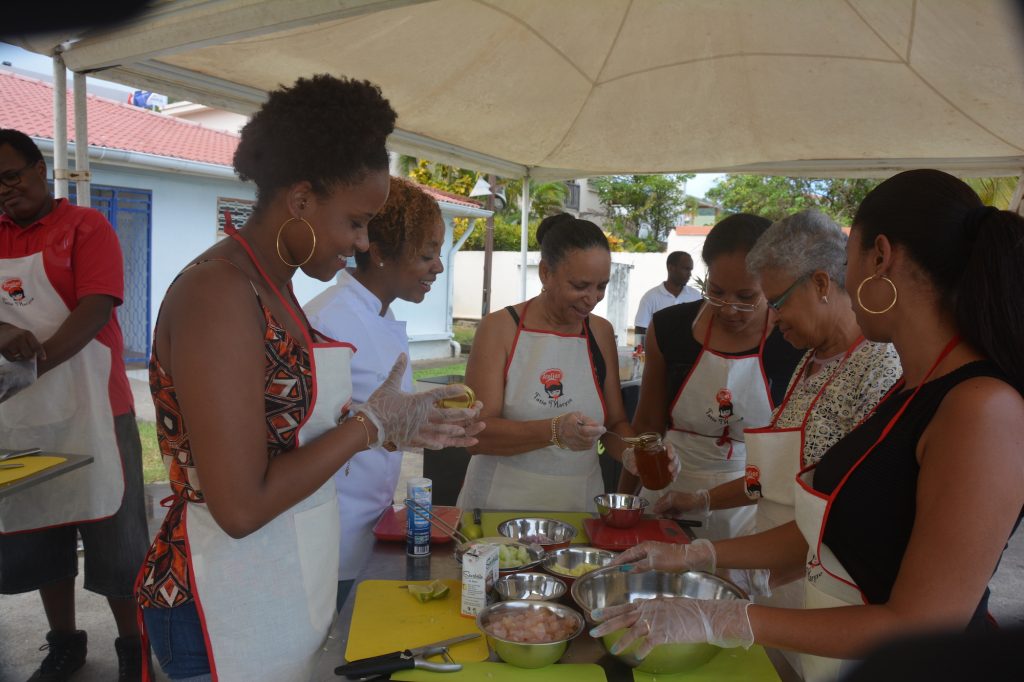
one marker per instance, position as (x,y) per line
(636,203)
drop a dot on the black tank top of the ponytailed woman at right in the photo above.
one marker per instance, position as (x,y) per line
(870,524)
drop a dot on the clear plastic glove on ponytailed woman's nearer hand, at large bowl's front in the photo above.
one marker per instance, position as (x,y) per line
(676,621)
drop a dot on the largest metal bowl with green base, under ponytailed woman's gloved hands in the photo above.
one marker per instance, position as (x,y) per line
(611,587)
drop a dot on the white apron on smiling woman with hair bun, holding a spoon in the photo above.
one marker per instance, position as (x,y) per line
(549,374)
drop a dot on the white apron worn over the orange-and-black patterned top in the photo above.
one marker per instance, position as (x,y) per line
(267,602)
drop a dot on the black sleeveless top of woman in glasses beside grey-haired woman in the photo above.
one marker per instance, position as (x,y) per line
(674,329)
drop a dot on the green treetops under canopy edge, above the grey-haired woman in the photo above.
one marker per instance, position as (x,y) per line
(776,197)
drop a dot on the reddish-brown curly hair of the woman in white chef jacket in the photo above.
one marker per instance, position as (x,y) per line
(404,226)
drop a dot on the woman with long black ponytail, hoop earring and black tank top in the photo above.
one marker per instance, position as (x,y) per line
(907,518)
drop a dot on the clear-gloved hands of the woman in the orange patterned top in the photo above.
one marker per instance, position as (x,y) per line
(414,420)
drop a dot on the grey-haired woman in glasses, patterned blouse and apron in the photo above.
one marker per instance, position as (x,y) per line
(801,262)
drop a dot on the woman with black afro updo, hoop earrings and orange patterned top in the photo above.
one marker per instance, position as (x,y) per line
(254,406)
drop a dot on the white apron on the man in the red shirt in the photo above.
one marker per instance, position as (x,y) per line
(68,410)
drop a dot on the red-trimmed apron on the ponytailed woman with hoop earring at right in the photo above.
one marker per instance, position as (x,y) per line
(828,583)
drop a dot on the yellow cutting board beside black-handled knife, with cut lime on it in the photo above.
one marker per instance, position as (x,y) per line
(388,619)
